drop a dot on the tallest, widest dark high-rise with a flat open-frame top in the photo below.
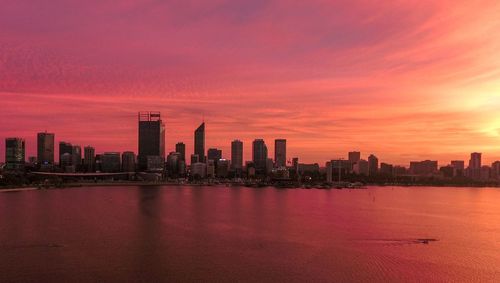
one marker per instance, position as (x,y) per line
(151,137)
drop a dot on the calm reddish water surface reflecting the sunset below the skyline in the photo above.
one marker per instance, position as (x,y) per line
(241,234)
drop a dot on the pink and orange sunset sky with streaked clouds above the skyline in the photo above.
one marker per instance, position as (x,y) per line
(404,80)
